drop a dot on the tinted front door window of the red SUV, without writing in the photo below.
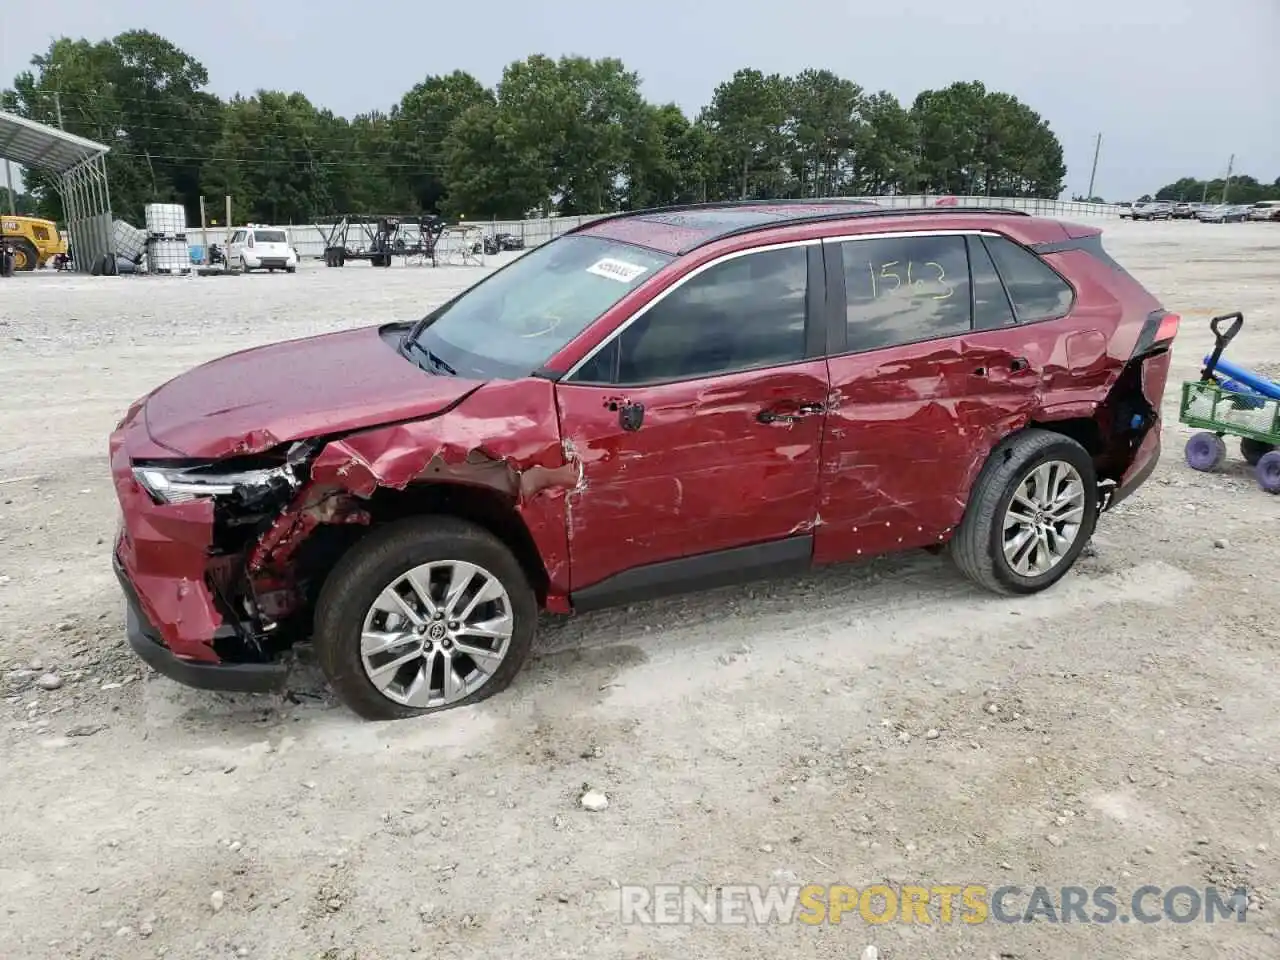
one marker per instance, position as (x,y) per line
(746,313)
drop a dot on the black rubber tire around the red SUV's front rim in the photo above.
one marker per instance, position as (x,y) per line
(376,564)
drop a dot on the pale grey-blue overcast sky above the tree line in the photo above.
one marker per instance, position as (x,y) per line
(1176,88)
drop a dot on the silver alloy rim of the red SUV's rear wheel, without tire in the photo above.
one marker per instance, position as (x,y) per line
(1044,519)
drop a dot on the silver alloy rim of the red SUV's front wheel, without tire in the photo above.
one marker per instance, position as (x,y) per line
(437,634)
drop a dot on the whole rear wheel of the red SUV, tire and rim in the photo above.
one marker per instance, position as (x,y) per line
(1031,514)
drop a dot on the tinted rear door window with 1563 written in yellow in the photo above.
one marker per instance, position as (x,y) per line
(902,290)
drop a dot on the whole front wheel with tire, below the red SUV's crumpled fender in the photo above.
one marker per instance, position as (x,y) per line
(422,616)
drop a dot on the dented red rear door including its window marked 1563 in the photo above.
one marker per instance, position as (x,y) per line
(916,394)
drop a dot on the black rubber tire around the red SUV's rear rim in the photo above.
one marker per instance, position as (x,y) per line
(979,546)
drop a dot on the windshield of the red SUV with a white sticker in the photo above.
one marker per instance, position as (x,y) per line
(518,318)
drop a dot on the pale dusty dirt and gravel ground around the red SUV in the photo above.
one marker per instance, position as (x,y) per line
(836,728)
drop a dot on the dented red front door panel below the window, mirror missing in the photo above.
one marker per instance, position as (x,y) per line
(692,468)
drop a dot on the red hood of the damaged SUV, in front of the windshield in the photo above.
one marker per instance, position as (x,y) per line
(252,401)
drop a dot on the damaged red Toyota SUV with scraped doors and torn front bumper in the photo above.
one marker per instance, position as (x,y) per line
(655,403)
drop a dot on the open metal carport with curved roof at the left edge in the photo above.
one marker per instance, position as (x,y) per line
(80,168)
